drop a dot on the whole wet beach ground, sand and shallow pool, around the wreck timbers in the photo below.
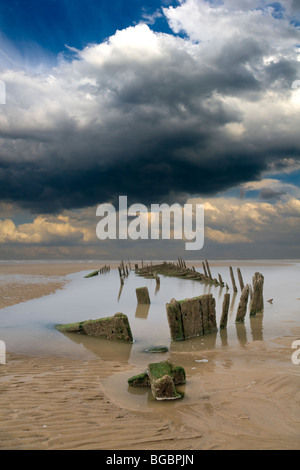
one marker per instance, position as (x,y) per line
(70,392)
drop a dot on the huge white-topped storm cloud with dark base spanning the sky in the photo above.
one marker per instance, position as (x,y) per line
(155,116)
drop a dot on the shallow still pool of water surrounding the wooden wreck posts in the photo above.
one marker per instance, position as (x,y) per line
(28,328)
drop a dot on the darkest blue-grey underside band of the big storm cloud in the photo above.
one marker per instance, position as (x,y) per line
(146,179)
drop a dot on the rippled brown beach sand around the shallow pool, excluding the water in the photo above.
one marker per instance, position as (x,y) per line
(242,397)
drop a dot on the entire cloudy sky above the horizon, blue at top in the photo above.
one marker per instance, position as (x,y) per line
(188,101)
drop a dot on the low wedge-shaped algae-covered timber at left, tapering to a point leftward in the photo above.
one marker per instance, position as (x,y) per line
(116,327)
